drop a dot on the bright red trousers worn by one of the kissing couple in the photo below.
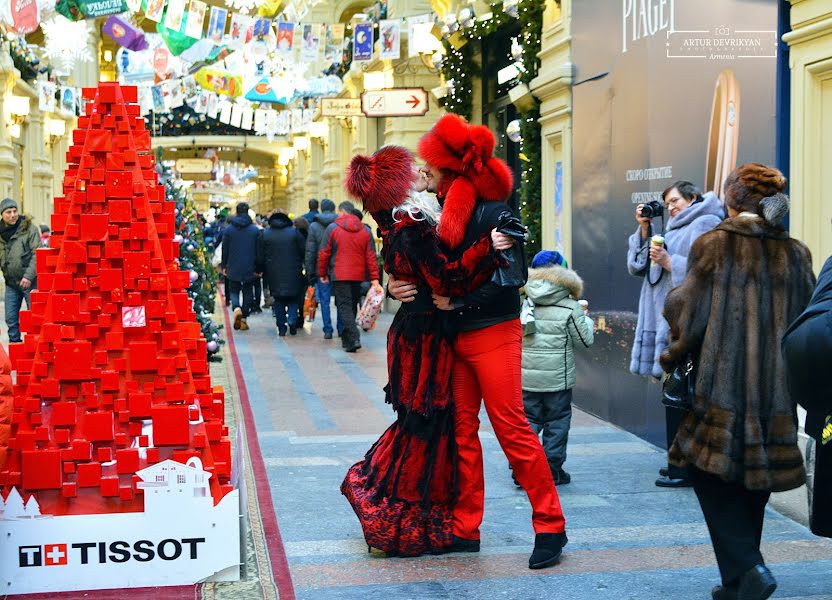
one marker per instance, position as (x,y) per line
(487,368)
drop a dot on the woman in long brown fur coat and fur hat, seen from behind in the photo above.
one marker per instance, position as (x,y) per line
(747,281)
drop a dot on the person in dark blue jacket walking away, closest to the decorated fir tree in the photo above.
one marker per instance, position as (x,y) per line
(239,253)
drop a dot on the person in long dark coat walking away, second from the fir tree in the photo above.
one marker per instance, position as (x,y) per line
(280,254)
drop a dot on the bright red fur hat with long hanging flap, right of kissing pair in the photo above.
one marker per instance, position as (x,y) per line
(467,153)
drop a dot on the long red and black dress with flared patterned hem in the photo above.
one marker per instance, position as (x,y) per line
(404,490)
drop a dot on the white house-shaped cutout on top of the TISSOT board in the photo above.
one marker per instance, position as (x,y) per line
(171,484)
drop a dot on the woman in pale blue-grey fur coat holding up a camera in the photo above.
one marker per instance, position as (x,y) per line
(662,261)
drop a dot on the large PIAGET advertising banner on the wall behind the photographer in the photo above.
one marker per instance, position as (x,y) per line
(664,90)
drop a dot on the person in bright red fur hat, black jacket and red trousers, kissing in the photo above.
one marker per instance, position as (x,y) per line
(472,186)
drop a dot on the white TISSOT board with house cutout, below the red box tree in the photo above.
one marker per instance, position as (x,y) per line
(180,539)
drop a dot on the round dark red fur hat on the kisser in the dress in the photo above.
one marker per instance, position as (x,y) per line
(381,181)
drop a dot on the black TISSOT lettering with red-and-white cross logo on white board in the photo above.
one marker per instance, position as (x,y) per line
(85,553)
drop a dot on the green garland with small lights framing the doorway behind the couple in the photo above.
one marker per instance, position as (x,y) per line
(461,67)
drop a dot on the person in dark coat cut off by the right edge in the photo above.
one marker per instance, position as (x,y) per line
(807,346)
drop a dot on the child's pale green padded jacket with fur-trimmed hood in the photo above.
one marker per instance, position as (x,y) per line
(559,326)
